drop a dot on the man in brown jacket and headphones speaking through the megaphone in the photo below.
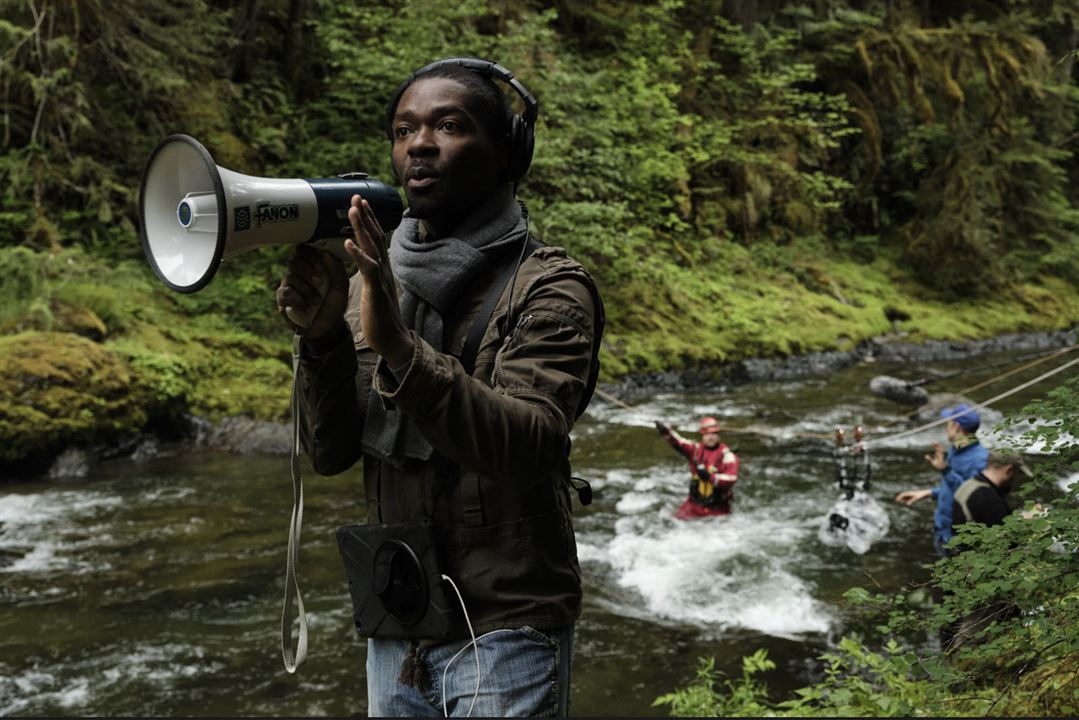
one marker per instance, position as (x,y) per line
(480,454)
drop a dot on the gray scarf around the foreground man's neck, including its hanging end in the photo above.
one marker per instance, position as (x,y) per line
(433,276)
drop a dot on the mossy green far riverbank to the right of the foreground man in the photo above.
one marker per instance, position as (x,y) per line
(801,301)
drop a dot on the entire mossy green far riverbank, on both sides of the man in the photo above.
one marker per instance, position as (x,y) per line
(149,354)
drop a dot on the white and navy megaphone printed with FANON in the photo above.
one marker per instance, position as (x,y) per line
(194,214)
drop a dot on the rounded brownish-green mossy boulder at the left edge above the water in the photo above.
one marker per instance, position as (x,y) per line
(59,388)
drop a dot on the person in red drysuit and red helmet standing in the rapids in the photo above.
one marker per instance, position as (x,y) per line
(715,469)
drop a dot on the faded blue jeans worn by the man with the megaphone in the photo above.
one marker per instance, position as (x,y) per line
(523,672)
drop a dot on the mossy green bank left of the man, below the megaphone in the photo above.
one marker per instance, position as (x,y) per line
(91,352)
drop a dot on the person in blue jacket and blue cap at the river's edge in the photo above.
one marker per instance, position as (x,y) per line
(965,459)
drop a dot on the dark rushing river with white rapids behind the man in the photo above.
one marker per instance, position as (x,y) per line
(154,586)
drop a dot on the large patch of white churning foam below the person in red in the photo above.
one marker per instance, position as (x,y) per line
(717,574)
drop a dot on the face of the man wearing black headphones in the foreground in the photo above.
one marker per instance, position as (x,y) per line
(443,154)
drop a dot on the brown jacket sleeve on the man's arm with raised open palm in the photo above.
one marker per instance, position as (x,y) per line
(520,428)
